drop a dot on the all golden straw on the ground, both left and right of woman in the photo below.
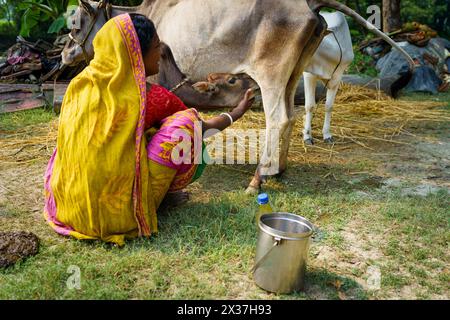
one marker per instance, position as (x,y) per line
(361,118)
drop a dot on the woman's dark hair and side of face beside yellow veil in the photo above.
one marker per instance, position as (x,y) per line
(150,43)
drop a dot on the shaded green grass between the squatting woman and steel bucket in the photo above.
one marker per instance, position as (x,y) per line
(203,228)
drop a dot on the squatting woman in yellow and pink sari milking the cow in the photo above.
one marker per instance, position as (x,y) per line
(101,182)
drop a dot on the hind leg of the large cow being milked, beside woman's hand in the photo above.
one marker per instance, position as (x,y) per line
(278,93)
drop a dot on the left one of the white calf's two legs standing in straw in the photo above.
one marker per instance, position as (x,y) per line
(310,104)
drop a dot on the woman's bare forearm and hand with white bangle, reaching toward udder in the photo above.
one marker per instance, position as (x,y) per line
(222,122)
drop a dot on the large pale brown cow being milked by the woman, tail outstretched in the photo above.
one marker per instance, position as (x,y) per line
(271,41)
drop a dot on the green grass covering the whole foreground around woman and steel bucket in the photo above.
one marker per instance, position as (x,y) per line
(205,249)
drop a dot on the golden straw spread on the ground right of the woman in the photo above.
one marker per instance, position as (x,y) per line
(361,118)
